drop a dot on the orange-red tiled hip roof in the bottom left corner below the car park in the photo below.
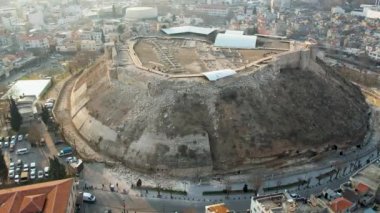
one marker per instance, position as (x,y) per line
(41,197)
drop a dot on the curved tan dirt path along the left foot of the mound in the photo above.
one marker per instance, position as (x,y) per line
(71,134)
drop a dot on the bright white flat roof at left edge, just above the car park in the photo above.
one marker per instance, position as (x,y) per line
(28,88)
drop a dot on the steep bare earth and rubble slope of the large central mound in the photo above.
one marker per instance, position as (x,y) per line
(246,119)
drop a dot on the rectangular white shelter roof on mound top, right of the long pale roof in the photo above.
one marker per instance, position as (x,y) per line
(235,41)
